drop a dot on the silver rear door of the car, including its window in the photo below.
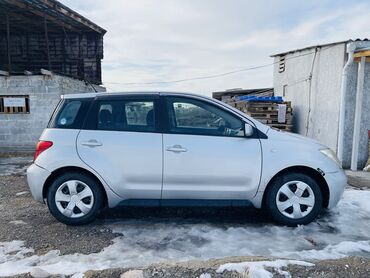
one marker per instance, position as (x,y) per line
(122,143)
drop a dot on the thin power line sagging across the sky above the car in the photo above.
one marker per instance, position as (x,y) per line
(211,76)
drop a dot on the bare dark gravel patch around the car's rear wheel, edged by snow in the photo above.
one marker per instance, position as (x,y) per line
(22,218)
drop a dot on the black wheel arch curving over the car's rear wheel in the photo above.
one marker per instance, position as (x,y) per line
(60,171)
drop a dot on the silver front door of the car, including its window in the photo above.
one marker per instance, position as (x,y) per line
(206,155)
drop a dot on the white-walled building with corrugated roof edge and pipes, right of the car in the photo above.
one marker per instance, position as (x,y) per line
(329,86)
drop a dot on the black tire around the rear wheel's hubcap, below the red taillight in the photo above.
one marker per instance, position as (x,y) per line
(97,198)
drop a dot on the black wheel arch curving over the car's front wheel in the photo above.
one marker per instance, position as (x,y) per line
(313,173)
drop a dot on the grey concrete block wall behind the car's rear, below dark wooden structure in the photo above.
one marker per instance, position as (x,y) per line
(20,132)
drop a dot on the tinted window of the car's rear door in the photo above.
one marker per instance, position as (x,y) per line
(126,115)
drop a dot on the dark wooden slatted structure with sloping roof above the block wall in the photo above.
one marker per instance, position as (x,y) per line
(45,34)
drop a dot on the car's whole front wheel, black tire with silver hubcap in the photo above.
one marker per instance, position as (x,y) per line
(294,199)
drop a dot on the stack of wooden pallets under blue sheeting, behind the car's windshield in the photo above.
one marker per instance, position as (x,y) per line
(274,114)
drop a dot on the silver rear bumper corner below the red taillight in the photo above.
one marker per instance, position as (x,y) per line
(36,177)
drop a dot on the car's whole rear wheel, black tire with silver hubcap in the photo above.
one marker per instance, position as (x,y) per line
(74,199)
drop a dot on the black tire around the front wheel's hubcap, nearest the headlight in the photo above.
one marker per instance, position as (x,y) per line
(273,190)
